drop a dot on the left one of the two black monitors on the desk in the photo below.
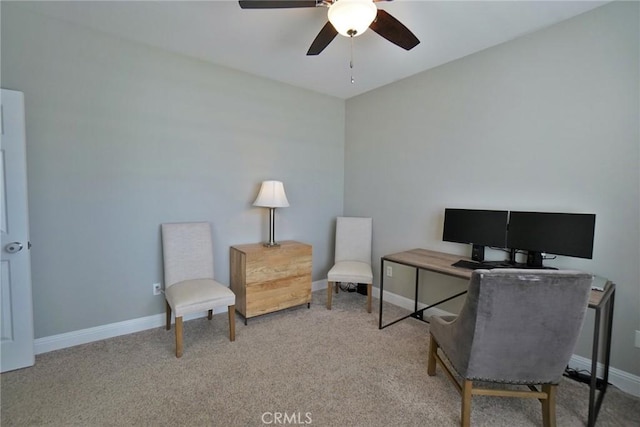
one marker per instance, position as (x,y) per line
(476,226)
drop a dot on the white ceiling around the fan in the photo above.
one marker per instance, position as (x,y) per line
(273,43)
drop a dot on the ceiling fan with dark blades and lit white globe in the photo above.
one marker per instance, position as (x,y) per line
(349,18)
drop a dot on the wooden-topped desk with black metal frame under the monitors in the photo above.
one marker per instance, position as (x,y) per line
(600,301)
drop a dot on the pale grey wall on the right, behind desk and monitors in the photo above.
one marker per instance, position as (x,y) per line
(547,122)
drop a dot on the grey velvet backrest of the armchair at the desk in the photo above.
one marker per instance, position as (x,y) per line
(525,324)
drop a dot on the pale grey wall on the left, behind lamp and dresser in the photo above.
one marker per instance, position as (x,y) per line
(122,137)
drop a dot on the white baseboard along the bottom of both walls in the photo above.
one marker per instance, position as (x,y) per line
(625,381)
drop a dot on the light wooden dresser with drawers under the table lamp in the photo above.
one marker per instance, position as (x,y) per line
(267,279)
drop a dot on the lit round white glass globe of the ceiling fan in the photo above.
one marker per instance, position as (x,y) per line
(351,18)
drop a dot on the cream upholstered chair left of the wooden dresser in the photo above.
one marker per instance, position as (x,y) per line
(187,253)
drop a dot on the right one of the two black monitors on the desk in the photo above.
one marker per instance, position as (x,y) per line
(555,233)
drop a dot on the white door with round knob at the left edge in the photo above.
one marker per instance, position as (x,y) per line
(16,306)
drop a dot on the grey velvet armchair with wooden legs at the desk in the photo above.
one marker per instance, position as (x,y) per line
(516,327)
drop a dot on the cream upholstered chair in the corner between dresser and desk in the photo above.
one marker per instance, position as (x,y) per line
(352,256)
